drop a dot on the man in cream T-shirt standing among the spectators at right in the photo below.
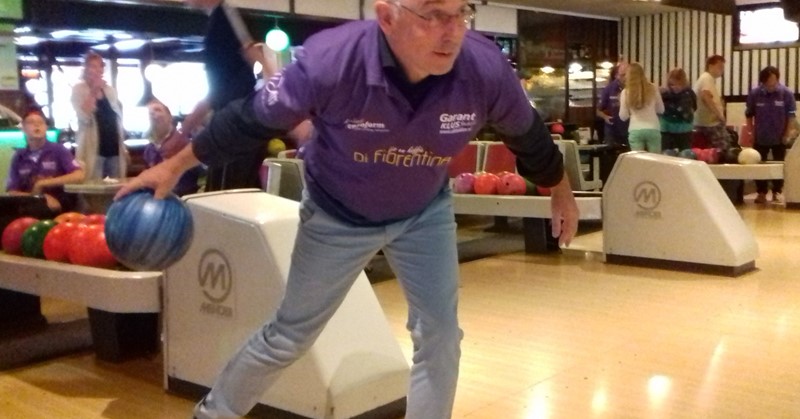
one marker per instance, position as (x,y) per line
(709,119)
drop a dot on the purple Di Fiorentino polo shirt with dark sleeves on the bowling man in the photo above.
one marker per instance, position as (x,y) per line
(376,158)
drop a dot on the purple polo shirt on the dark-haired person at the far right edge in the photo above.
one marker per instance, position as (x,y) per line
(770,111)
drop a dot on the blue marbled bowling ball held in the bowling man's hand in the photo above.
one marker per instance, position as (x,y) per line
(148,234)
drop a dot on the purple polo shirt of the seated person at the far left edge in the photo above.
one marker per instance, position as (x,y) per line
(49,161)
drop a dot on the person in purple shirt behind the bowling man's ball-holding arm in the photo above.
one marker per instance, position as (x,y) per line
(165,142)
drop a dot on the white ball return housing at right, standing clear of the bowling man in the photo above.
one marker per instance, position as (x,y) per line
(669,212)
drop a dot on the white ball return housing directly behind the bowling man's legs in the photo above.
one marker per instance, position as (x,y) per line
(232,280)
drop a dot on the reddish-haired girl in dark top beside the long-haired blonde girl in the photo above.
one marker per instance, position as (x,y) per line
(680,103)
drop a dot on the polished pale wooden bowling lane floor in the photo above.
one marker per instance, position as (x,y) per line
(547,337)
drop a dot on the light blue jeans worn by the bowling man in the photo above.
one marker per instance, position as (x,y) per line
(327,258)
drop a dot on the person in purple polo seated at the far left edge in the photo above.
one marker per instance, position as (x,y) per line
(42,167)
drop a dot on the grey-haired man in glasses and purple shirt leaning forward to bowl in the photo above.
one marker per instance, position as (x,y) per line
(392,101)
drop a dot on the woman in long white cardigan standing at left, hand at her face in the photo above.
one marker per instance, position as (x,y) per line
(100,138)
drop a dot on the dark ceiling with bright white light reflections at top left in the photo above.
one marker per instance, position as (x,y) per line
(159,31)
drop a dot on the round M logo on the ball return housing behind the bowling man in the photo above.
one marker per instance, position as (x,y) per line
(216,282)
